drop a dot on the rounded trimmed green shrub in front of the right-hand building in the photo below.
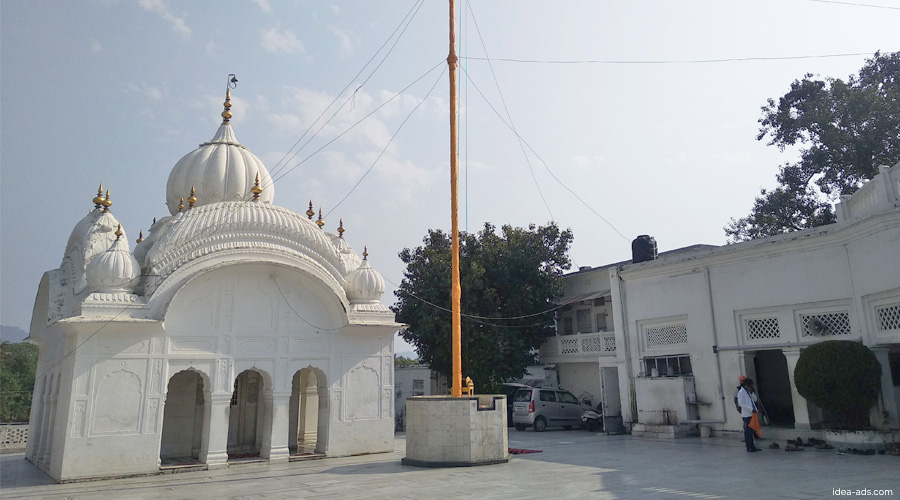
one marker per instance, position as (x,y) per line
(840,376)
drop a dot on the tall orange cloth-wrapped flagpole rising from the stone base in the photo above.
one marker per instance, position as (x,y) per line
(456,383)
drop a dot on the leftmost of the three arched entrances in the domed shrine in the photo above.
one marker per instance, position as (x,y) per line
(184,414)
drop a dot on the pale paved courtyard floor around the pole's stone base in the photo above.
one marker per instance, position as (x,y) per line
(572,464)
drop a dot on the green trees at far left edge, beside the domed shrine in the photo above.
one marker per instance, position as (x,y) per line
(18,362)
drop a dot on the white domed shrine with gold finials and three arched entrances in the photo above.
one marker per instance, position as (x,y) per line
(236,329)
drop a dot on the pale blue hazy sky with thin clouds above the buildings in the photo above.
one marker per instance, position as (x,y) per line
(607,98)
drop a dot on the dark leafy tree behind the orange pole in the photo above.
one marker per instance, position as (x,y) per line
(509,281)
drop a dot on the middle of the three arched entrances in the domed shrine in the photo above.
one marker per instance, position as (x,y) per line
(247,416)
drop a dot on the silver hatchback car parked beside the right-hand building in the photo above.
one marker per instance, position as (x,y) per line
(540,407)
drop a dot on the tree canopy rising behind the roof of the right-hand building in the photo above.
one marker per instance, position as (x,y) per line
(845,130)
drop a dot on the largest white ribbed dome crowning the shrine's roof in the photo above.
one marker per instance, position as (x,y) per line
(219,170)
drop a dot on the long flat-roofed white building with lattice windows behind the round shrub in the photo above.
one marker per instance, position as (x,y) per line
(665,340)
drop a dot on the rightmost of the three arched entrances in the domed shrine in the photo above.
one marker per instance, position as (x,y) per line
(308,413)
